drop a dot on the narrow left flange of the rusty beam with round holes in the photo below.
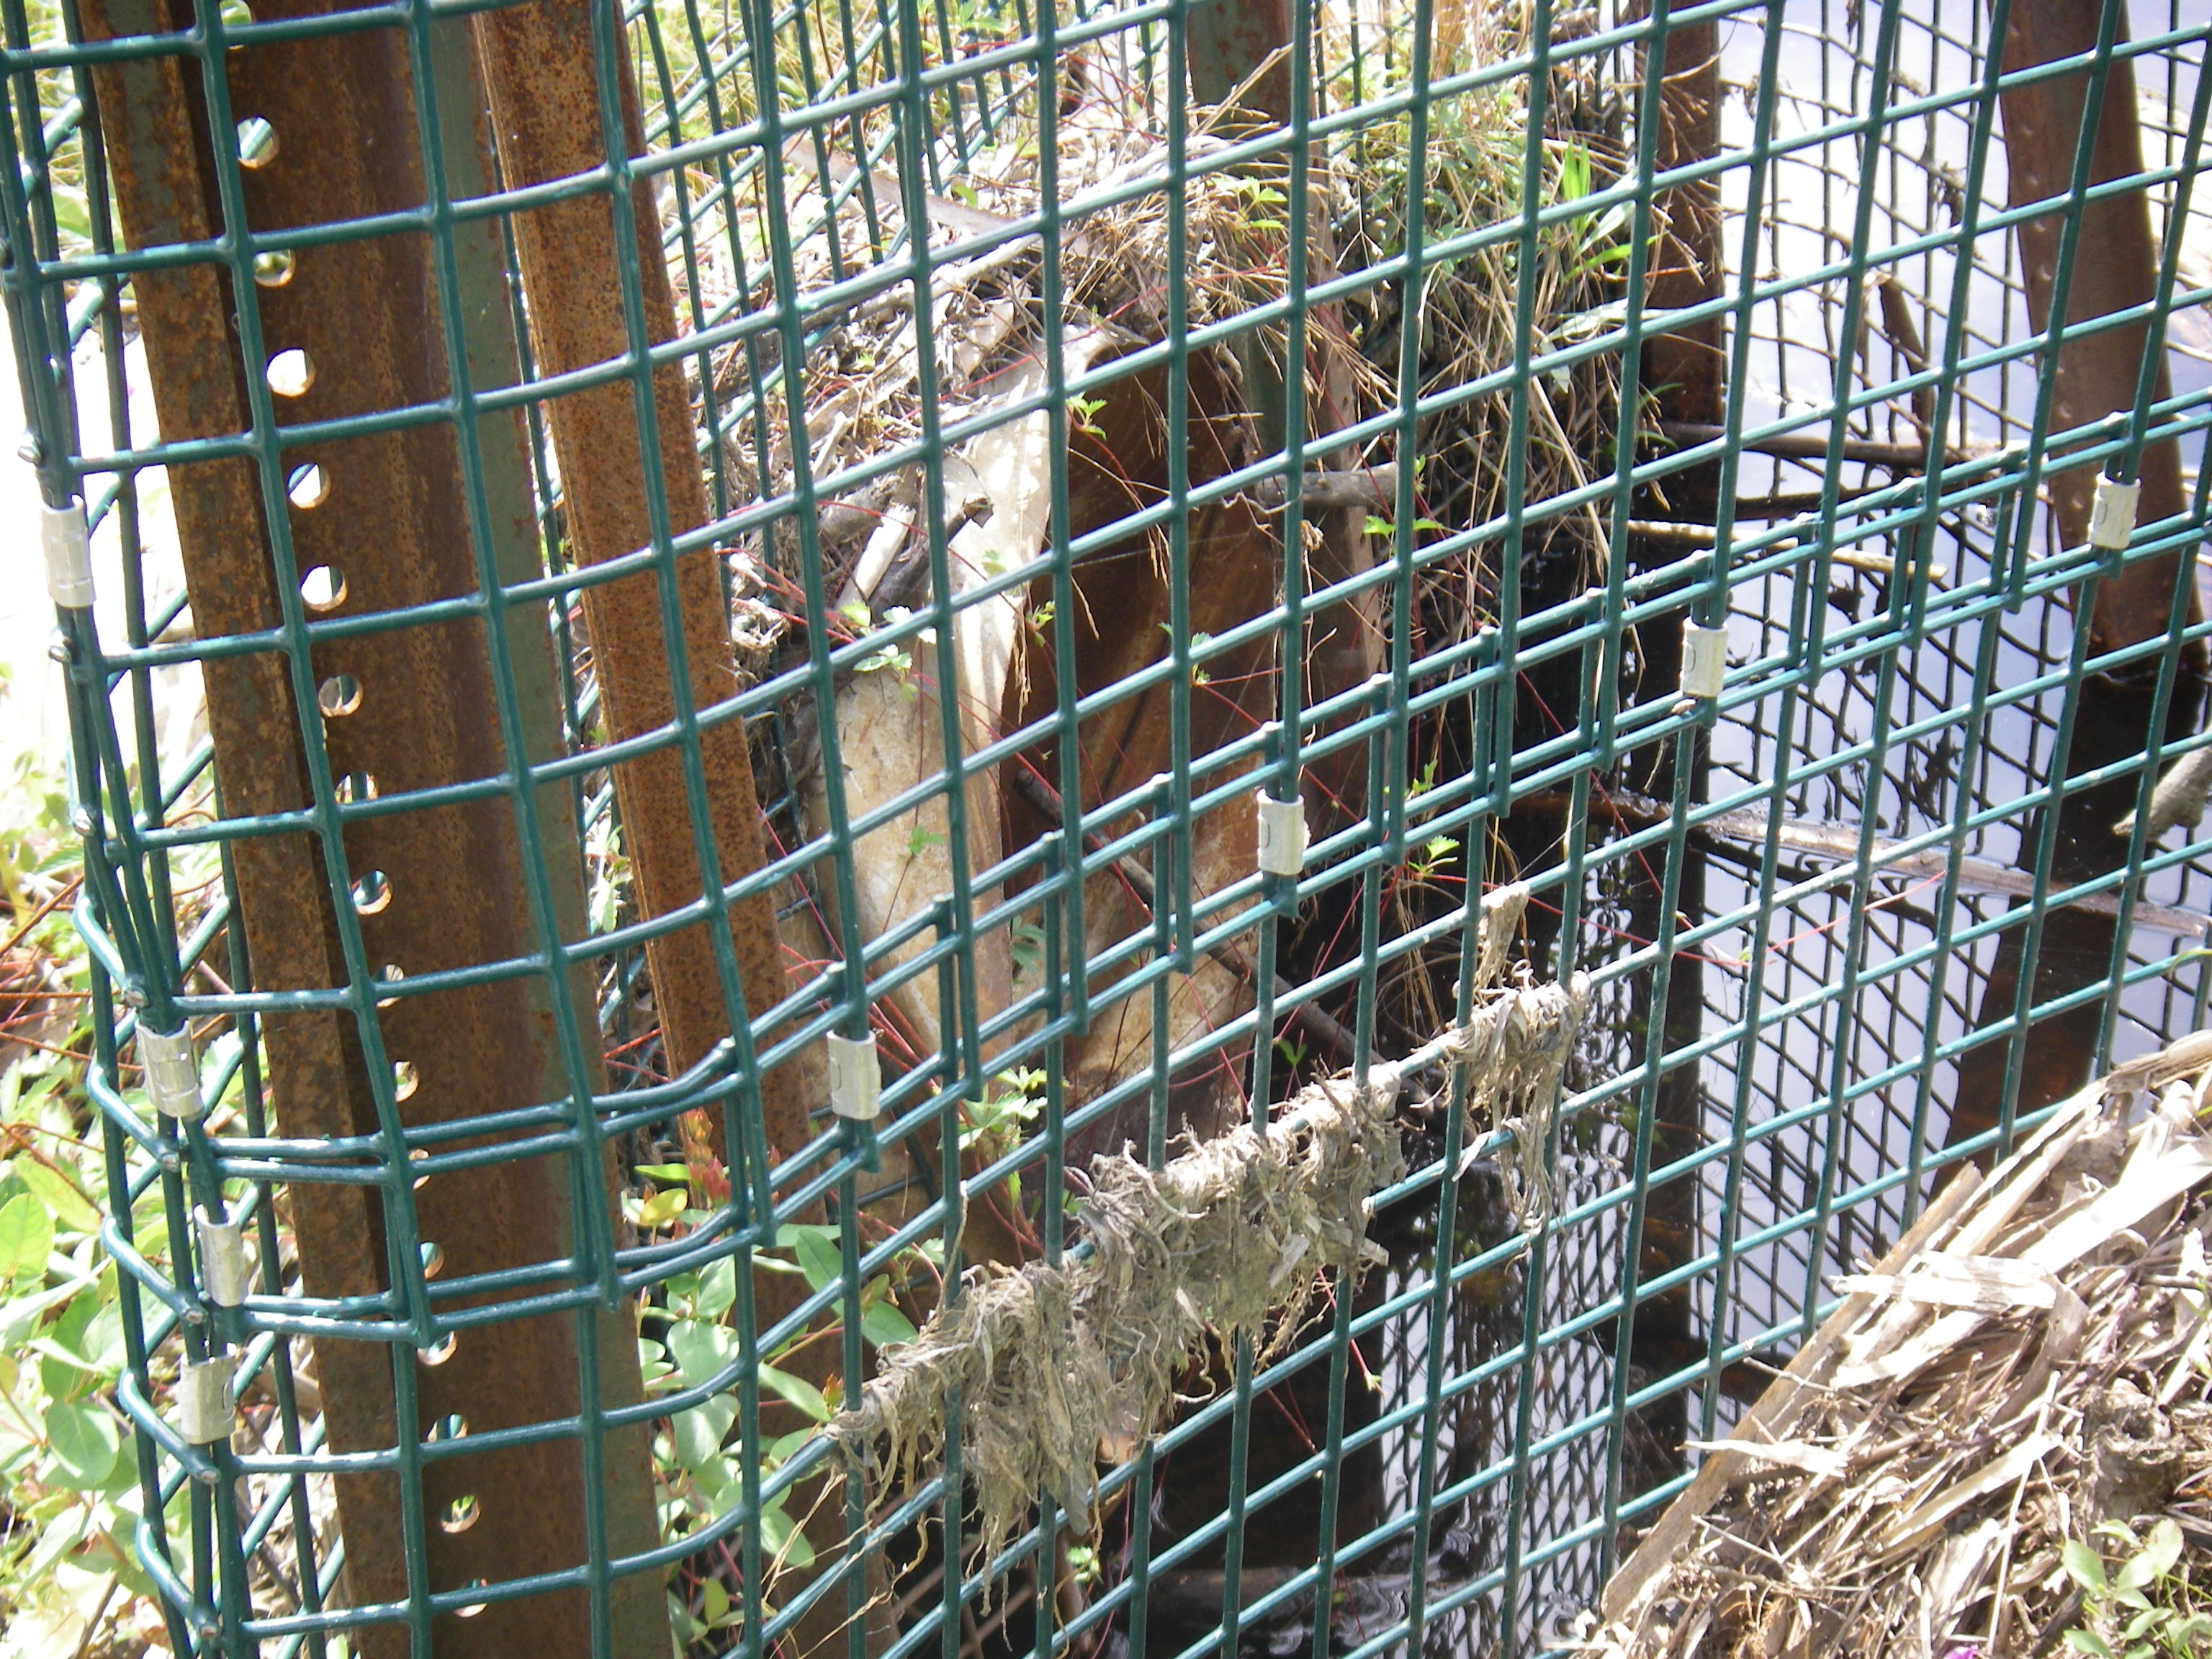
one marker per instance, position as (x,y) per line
(317,1087)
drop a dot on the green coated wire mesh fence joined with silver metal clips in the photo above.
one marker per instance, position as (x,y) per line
(762,693)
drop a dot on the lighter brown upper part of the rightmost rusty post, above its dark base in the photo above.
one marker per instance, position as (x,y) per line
(2116,269)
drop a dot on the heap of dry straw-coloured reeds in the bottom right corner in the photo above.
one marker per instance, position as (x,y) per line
(1996,1423)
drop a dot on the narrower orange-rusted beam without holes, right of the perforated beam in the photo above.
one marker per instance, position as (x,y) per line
(543,79)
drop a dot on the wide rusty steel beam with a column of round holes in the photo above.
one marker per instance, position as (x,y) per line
(404,709)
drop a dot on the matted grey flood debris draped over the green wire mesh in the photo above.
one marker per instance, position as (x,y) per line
(1063,1366)
